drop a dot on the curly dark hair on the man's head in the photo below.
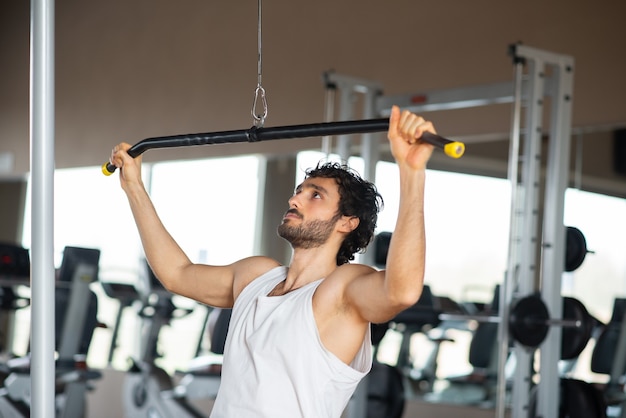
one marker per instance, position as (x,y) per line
(358,197)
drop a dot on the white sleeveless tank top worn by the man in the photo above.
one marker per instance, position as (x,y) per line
(275,365)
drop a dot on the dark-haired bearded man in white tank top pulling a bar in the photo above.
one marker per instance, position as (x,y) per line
(299,337)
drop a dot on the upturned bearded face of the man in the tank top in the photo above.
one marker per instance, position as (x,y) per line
(312,213)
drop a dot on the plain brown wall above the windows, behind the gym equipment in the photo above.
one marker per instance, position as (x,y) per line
(128,70)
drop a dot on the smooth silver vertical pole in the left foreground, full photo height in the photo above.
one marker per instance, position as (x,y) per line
(42,198)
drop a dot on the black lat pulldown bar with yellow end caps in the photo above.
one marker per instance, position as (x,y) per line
(453,149)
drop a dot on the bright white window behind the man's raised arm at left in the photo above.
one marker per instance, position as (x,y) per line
(211,224)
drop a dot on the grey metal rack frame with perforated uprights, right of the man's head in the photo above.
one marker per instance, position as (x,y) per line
(547,75)
